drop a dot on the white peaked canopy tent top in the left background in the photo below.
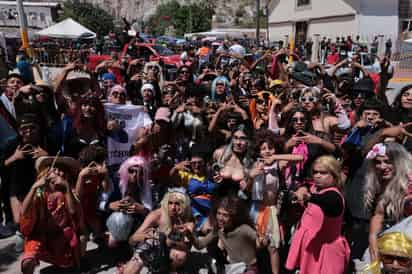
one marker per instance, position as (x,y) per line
(67,29)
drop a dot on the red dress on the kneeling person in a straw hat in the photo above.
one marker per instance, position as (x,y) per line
(51,231)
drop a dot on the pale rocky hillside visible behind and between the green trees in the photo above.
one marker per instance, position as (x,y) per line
(227,12)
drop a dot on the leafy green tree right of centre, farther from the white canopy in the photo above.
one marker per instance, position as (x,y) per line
(194,17)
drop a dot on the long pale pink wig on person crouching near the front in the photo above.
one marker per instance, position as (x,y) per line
(146,193)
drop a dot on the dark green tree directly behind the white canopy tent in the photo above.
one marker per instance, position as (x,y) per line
(89,15)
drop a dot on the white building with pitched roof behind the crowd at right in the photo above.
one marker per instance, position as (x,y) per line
(333,18)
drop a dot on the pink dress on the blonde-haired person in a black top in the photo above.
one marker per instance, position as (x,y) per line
(318,246)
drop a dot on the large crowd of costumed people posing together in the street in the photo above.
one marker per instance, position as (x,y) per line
(269,164)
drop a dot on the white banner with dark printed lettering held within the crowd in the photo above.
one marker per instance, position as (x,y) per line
(130,118)
